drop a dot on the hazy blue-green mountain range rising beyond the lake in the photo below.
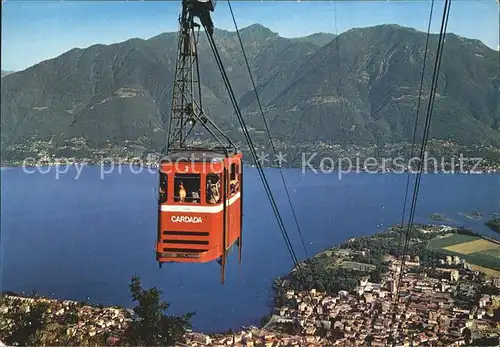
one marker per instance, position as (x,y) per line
(360,87)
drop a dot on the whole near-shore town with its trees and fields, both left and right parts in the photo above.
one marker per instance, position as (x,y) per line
(428,297)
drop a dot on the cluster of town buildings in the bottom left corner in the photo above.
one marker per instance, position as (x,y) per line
(86,320)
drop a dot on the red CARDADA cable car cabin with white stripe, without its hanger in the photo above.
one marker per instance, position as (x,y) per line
(200,207)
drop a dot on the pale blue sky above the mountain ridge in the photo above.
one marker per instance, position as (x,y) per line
(33,31)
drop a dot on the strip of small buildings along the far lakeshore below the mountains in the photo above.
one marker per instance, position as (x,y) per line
(77,150)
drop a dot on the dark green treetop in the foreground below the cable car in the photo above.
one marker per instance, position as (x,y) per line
(153,327)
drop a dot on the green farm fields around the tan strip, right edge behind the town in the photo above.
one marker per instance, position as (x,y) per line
(489,258)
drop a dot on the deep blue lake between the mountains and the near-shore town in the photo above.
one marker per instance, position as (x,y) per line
(85,238)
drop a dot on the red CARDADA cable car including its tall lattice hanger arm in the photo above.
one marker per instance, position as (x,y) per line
(200,202)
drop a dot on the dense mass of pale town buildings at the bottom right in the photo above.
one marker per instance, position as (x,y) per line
(412,309)
